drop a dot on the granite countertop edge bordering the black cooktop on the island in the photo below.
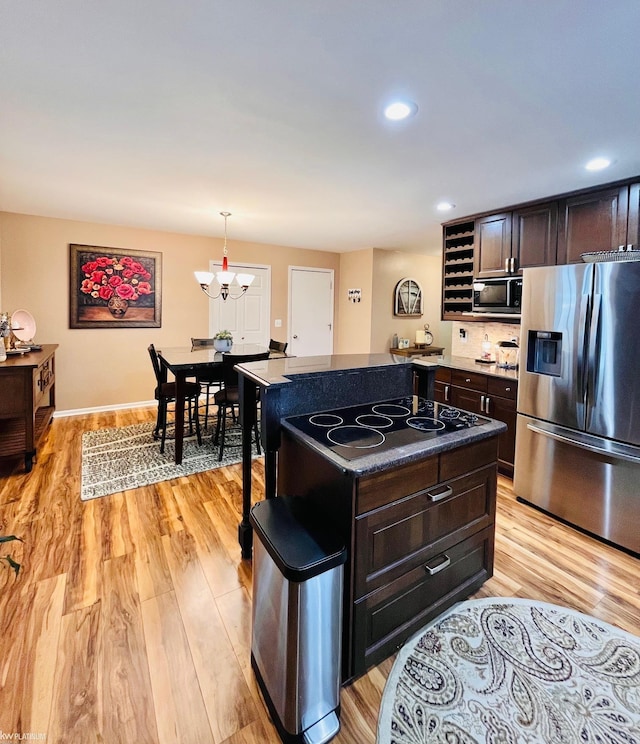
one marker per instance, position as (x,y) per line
(398,456)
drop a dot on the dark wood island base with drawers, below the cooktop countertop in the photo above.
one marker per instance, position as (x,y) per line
(421,538)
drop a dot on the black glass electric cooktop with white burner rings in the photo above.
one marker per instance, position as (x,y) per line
(374,427)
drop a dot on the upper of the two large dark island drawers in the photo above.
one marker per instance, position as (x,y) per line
(395,538)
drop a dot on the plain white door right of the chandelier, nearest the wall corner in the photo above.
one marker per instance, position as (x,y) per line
(310,311)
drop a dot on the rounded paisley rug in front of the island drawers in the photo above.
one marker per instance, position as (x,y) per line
(510,671)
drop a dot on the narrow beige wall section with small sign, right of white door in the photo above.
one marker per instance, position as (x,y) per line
(354,330)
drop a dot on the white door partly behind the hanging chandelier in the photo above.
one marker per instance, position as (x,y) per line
(248,318)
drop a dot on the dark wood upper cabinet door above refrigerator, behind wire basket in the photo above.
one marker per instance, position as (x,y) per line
(595,221)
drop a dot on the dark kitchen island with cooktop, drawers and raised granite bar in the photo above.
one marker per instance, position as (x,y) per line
(413,499)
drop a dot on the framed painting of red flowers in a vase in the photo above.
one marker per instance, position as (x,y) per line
(113,288)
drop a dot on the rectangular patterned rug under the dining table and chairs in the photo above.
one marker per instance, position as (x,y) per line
(127,457)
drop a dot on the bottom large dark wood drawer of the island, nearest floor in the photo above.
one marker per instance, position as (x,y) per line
(385,619)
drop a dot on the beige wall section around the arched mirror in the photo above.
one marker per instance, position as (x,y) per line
(389,267)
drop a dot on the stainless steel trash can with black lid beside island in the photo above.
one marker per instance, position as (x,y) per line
(297,618)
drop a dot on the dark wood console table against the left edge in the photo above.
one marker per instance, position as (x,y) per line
(27,402)
